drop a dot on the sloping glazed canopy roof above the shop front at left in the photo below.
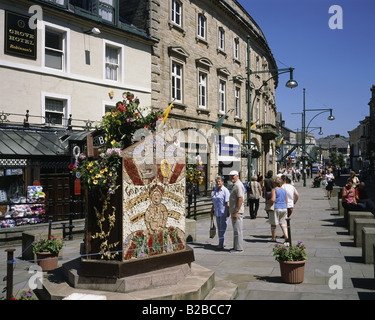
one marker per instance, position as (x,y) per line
(35,143)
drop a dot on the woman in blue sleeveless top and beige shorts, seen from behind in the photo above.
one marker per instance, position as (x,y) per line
(279,199)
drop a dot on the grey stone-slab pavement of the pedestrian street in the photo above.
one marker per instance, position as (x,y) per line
(315,221)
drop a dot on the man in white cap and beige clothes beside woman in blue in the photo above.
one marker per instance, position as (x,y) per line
(236,210)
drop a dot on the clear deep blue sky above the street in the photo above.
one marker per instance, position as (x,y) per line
(335,66)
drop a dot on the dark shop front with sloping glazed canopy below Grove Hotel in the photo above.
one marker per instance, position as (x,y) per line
(35,183)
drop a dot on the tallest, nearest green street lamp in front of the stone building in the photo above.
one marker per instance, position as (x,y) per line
(290,84)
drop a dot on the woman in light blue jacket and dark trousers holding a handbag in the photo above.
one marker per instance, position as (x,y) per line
(220,208)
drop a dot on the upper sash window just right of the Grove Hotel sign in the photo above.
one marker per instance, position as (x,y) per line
(54,49)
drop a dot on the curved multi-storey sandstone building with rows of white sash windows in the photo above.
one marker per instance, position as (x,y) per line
(200,62)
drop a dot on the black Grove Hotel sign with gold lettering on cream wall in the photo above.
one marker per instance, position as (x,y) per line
(19,38)
